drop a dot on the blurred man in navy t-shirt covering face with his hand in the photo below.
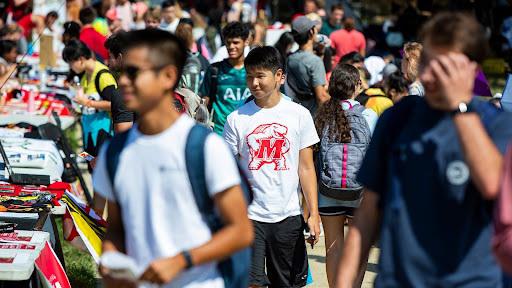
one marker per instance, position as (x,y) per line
(431,173)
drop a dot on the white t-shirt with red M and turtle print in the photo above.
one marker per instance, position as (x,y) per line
(268,142)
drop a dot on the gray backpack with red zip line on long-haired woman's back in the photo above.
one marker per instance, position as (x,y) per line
(339,163)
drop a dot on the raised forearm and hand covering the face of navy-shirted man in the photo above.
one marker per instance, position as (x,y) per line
(454,74)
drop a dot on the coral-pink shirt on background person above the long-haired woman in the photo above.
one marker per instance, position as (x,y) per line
(344,42)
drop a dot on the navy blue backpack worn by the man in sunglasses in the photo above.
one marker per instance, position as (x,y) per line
(235,268)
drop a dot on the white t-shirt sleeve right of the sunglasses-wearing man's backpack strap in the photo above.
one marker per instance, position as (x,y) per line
(221,169)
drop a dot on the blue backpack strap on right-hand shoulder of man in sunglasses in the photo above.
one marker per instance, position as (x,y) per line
(196,170)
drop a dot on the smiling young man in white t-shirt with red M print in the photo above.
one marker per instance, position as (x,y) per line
(273,138)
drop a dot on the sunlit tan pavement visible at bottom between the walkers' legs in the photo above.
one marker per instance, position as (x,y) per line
(317,265)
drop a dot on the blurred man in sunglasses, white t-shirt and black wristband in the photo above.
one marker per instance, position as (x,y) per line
(153,217)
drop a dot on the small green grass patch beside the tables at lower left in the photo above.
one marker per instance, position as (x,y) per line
(80,266)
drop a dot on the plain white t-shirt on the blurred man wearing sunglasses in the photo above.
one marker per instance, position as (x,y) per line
(159,213)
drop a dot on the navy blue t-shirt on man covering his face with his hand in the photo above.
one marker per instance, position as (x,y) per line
(436,227)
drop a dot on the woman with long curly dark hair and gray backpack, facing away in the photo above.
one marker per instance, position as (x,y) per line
(343,124)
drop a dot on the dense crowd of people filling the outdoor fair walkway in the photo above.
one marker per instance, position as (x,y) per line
(314,129)
